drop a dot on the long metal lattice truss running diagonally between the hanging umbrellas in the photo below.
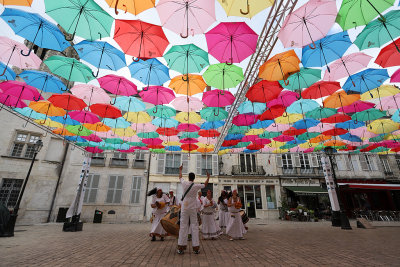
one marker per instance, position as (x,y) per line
(266,43)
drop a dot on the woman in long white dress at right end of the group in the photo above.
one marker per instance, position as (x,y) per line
(235,228)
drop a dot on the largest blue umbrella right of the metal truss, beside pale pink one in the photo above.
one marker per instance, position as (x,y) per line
(327,49)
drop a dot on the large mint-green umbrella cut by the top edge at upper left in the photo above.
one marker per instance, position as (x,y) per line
(81,17)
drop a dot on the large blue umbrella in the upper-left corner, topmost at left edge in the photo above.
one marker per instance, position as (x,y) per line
(36,29)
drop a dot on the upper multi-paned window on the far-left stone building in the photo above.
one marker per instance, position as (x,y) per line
(24,145)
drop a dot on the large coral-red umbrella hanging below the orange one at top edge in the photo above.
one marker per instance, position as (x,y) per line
(140,39)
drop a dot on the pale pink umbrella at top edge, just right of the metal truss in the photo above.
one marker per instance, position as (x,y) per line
(309,23)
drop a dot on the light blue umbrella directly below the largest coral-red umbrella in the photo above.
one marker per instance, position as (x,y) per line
(150,72)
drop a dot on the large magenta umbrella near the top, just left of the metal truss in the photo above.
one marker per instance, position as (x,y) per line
(231,42)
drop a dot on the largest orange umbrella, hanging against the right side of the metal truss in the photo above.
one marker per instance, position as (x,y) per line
(280,66)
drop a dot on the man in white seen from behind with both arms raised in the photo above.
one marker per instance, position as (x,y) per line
(189,212)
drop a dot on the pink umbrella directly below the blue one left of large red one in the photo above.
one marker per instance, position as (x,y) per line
(118,85)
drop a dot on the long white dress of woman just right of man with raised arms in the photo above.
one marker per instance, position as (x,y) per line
(209,227)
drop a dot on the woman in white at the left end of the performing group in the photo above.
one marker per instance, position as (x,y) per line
(159,204)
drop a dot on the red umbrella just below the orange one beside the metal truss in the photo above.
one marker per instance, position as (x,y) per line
(264,91)
